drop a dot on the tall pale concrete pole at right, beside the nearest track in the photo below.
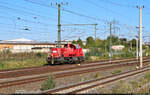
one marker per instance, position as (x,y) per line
(140,30)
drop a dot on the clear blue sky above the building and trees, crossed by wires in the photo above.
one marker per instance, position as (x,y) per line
(41,19)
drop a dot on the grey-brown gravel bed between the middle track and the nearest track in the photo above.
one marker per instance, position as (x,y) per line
(60,82)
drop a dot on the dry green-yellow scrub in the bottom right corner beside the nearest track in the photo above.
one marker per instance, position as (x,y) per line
(129,86)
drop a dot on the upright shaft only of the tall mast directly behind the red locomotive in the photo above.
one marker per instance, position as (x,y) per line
(59,28)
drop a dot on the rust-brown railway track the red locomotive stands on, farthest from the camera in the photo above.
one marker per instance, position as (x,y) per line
(51,69)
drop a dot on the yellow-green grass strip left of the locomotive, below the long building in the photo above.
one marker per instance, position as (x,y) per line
(9,60)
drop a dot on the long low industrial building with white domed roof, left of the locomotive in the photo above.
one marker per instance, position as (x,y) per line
(25,45)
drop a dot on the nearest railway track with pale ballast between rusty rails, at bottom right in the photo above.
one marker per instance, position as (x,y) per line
(84,87)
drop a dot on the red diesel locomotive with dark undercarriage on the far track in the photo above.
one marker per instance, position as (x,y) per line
(70,53)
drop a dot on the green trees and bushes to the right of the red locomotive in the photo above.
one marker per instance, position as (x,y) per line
(99,49)
